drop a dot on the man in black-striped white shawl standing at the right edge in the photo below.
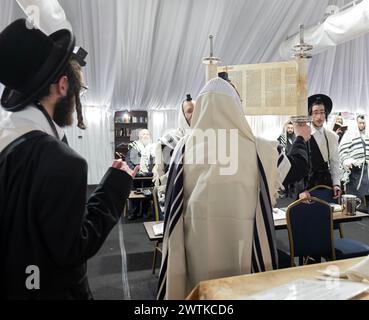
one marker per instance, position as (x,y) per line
(354,154)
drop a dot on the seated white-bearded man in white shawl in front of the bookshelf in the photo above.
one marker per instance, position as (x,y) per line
(140,153)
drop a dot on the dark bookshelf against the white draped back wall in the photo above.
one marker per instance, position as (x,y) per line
(127,125)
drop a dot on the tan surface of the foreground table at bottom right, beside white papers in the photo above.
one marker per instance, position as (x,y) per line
(238,288)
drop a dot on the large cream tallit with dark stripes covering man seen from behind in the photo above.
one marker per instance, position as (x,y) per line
(212,233)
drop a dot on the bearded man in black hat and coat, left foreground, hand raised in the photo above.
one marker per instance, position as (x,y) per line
(47,232)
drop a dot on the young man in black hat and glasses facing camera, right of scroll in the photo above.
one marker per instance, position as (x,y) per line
(323,147)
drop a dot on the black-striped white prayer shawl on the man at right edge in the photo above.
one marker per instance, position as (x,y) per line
(354,150)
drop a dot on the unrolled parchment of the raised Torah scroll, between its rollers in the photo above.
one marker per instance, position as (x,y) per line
(278,88)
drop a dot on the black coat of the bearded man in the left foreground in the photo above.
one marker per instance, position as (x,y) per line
(44,219)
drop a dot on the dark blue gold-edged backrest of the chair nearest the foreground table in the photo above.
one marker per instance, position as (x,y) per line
(310,229)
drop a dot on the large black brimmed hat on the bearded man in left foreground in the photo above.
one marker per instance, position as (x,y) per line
(30,61)
